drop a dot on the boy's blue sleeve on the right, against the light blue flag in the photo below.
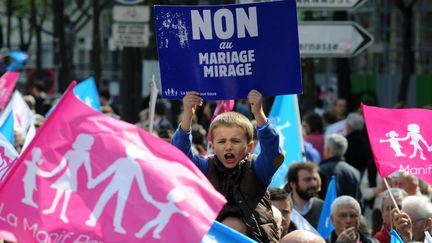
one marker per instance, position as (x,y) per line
(271,155)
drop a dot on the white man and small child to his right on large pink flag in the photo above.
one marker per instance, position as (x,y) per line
(125,170)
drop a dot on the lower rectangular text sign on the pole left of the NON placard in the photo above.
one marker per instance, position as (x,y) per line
(131,34)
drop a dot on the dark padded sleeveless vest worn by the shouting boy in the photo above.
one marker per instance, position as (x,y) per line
(246,198)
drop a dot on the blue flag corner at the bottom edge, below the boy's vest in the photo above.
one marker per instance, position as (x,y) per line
(221,233)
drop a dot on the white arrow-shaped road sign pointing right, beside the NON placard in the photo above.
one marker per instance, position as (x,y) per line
(332,39)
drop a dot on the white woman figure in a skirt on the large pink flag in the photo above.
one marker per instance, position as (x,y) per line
(67,183)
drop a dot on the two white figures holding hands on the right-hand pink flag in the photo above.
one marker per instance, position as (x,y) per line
(414,135)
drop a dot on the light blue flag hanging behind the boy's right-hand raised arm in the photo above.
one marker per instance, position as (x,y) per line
(286,117)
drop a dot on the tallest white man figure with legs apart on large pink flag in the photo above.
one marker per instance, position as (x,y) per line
(125,170)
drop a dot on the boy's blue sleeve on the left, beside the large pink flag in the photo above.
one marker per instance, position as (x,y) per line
(183,141)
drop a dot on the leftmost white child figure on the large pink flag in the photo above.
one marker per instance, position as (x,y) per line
(32,171)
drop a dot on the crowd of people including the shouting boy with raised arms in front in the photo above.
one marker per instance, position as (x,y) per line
(336,144)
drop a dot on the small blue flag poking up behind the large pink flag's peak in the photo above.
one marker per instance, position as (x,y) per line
(87,93)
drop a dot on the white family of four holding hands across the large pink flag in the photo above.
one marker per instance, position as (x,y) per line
(124,170)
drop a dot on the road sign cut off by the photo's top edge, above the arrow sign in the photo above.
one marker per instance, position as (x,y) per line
(330,5)
